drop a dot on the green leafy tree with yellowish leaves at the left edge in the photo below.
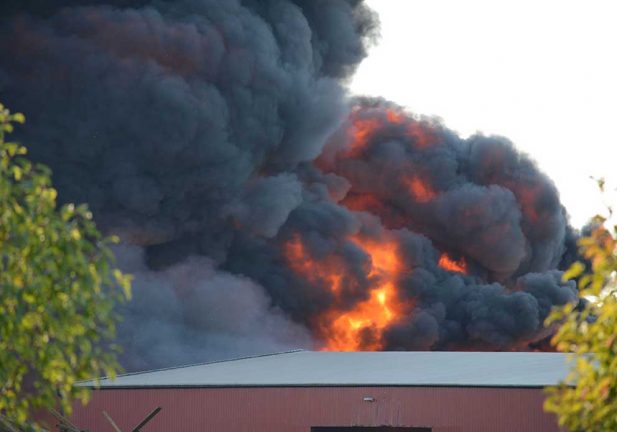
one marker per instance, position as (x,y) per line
(58,289)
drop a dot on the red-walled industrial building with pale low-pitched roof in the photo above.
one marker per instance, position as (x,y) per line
(306,391)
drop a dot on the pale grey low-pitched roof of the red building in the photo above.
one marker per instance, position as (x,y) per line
(310,368)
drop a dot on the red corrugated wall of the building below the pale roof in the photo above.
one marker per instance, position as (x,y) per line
(296,409)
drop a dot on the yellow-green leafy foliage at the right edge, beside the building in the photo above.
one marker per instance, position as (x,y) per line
(587,400)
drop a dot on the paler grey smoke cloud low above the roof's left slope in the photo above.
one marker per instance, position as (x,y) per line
(200,313)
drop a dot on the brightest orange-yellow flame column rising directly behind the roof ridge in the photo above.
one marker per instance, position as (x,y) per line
(348,331)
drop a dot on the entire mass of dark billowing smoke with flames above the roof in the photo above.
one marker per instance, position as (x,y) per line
(261,208)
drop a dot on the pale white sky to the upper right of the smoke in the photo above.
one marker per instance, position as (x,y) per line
(541,73)
